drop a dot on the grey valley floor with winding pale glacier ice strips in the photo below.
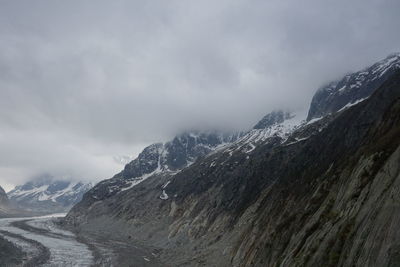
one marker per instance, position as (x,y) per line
(38,241)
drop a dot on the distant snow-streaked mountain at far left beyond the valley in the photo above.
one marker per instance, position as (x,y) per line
(46,194)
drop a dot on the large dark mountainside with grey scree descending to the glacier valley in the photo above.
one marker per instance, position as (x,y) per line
(292,191)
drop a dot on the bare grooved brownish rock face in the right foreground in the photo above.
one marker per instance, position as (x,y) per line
(339,208)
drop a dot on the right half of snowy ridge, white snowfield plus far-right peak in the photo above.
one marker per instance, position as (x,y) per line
(337,96)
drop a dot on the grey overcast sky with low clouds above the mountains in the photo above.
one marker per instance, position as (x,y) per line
(83,82)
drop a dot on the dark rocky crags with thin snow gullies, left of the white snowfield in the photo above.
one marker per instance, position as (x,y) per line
(168,157)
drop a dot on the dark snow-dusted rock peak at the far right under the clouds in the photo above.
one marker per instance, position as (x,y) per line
(352,88)
